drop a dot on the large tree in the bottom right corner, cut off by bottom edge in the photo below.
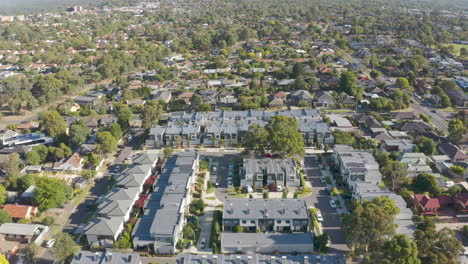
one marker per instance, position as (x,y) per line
(436,247)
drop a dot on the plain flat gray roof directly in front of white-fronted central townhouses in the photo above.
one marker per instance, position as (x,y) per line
(265,239)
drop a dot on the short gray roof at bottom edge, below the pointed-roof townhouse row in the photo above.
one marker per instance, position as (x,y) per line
(106,257)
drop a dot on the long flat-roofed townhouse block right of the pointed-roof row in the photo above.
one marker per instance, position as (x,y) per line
(160,226)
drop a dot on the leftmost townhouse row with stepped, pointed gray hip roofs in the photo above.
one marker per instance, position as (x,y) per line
(115,208)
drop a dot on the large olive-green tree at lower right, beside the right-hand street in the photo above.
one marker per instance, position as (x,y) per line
(369,225)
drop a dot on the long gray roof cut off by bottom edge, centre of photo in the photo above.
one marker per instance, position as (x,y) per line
(260,259)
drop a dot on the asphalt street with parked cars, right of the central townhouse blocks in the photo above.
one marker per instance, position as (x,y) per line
(320,199)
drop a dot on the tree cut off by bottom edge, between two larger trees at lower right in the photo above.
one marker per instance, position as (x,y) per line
(399,250)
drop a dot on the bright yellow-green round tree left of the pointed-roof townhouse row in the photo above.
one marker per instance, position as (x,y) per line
(51,193)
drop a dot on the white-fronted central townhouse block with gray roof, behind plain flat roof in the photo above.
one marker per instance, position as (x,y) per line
(254,215)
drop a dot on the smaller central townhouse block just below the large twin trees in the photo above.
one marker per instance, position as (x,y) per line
(262,172)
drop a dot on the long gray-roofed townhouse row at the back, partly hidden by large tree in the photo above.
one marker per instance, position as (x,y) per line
(229,127)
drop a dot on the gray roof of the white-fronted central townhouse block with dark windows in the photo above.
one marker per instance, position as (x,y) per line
(265,208)
